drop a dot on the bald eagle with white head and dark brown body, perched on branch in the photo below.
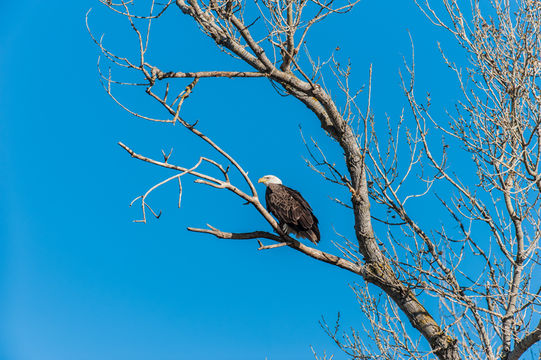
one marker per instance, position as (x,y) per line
(290,209)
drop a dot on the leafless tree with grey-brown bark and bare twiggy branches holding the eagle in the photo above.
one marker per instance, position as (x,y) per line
(480,266)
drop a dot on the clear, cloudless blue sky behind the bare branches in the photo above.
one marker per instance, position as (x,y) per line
(80,280)
